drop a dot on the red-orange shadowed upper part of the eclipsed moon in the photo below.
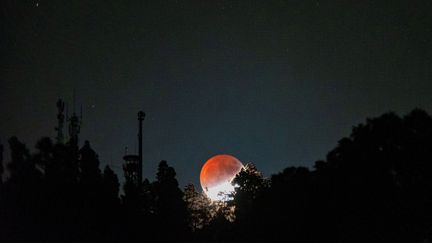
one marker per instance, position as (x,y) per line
(219,169)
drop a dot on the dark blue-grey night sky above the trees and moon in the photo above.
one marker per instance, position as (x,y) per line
(276,83)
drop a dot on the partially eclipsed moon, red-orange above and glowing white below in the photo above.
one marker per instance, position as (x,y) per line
(216,175)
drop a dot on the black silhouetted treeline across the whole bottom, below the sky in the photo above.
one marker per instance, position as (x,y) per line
(375,186)
